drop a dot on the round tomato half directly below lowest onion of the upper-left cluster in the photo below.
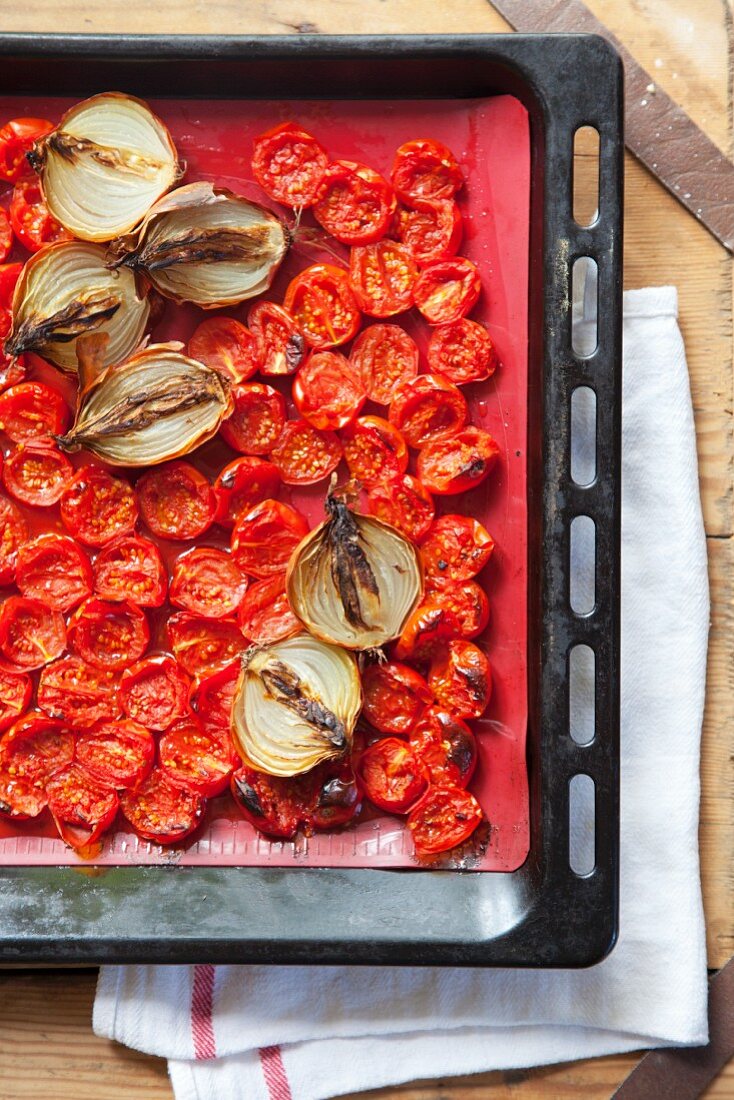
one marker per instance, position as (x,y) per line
(177,501)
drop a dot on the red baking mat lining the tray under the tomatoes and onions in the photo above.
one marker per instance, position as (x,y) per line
(491,140)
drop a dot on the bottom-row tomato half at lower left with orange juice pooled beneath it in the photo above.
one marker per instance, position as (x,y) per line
(82,807)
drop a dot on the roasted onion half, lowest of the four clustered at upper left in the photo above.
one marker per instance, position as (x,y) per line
(157,406)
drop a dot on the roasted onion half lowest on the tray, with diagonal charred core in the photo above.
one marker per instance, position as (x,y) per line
(295,706)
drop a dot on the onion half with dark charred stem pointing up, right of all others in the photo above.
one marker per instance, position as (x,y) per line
(355,580)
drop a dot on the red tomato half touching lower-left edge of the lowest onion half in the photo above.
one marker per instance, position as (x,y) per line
(195,760)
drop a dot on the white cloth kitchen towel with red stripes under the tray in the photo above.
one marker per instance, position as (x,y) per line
(300,1033)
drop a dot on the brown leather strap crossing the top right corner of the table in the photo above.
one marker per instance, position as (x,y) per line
(659,131)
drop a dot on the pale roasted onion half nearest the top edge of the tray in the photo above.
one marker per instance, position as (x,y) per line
(105,166)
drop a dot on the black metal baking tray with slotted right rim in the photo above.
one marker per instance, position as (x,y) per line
(543,915)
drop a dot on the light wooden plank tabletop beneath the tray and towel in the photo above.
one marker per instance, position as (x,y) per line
(47,1046)
